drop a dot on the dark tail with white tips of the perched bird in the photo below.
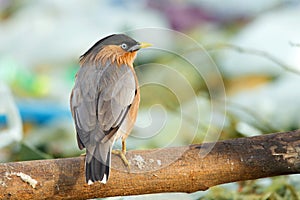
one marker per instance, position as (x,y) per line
(97,163)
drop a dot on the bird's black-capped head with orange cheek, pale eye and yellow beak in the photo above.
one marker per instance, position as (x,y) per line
(116,48)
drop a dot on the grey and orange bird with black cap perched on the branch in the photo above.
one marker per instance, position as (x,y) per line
(104,101)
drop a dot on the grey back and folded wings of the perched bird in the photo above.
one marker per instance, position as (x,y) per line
(100,101)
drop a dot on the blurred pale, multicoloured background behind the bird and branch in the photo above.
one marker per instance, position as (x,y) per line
(215,71)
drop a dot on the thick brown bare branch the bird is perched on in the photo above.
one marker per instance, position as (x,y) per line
(181,169)
